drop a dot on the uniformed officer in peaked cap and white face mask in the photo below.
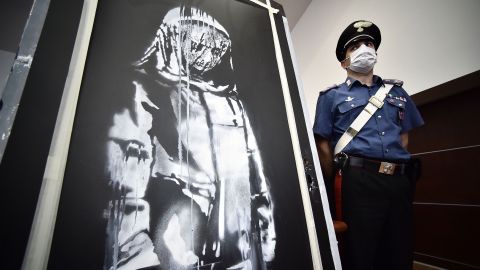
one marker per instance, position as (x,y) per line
(377,192)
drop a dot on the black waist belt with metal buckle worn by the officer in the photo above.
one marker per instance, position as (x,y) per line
(378,166)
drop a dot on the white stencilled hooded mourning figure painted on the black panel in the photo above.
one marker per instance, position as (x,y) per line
(187,174)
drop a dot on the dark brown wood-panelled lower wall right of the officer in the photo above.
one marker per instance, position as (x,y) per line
(447,201)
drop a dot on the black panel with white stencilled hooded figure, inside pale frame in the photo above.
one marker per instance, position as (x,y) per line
(181,156)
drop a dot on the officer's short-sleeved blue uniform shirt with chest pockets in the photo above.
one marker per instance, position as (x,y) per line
(380,137)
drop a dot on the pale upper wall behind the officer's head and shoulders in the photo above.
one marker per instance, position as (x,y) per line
(424,42)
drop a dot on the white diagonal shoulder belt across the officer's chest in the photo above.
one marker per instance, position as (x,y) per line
(374,103)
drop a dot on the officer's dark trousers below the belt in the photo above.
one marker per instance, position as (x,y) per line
(378,211)
